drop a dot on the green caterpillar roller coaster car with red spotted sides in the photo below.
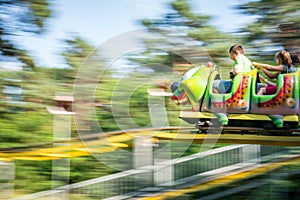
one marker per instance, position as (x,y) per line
(241,107)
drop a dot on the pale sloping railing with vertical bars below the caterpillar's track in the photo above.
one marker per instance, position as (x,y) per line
(174,172)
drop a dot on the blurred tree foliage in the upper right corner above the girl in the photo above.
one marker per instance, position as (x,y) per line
(276,25)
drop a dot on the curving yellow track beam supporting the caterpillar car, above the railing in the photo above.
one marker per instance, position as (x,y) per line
(111,142)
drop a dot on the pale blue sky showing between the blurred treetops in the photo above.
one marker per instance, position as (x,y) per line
(99,20)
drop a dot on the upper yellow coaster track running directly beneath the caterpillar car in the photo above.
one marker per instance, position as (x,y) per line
(110,141)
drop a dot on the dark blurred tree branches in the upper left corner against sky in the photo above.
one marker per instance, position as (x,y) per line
(17,17)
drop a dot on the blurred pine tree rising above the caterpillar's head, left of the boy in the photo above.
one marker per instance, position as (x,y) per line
(181,21)
